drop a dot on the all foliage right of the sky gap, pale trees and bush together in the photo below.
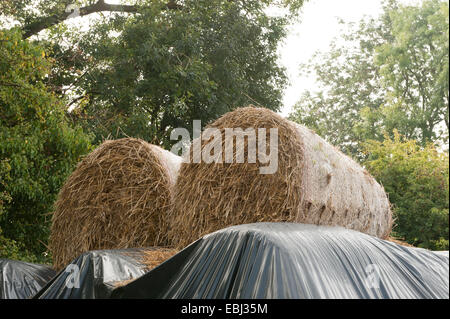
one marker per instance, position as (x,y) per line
(390,76)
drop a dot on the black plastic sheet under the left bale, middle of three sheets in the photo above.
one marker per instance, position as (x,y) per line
(94,274)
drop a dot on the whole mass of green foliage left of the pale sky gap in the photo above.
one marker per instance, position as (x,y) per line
(137,74)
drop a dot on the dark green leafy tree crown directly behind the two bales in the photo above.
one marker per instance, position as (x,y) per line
(143,74)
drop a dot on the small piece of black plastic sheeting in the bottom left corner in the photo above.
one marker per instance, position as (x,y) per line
(22,280)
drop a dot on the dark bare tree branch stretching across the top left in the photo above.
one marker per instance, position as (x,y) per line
(100,6)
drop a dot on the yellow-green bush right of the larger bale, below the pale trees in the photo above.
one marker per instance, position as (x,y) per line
(417,181)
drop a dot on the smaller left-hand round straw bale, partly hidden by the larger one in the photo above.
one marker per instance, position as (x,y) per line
(117,197)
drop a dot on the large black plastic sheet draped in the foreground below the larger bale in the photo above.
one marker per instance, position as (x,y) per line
(287,260)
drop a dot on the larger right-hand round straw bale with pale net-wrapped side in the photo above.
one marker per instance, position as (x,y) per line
(315,183)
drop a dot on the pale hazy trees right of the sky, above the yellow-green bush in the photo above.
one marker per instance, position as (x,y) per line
(390,73)
